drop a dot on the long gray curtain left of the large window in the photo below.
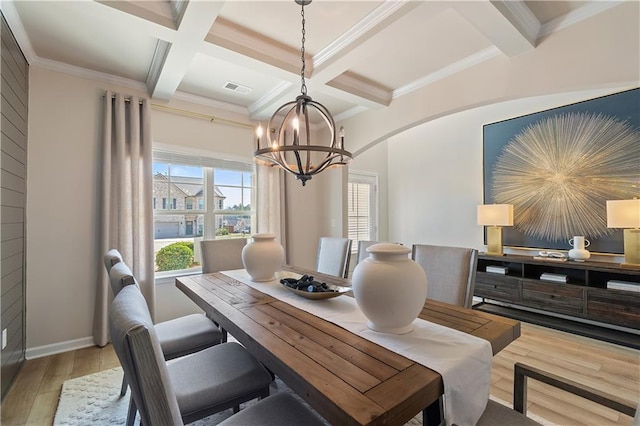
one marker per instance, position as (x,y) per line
(126,216)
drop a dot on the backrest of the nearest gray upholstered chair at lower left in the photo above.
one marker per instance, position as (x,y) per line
(138,349)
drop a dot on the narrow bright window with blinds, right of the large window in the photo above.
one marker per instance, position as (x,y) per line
(362,208)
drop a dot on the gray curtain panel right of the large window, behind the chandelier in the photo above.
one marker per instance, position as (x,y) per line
(272,196)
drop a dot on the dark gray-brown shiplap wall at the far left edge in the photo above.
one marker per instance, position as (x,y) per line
(14,86)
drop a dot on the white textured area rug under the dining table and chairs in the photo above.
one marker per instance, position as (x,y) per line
(95,400)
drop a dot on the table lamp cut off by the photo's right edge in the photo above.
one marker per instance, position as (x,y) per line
(625,214)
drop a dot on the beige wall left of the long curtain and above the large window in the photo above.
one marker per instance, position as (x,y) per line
(62,200)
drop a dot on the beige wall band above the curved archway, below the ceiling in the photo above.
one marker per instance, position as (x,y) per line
(600,52)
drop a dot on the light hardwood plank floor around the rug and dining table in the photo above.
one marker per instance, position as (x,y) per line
(614,369)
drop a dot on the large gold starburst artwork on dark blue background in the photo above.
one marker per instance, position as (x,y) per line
(559,167)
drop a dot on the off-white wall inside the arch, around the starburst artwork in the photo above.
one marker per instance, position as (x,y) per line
(435,172)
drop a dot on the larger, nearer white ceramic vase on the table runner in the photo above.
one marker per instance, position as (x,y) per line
(389,288)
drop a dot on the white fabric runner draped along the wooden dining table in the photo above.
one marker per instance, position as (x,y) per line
(464,361)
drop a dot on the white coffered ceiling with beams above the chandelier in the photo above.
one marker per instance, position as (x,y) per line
(360,54)
